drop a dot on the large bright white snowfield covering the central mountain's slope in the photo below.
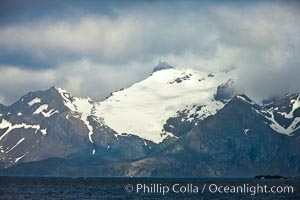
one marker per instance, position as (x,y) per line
(144,108)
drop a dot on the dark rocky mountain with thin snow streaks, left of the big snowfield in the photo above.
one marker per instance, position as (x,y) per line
(53,123)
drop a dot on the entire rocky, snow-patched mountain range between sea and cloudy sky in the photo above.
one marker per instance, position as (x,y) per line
(175,123)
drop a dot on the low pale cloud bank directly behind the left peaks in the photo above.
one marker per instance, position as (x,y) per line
(81,78)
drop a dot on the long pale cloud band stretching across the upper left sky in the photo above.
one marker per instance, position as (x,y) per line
(109,40)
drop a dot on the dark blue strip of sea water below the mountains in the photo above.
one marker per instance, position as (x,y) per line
(147,188)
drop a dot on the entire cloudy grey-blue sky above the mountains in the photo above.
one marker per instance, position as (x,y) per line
(92,48)
